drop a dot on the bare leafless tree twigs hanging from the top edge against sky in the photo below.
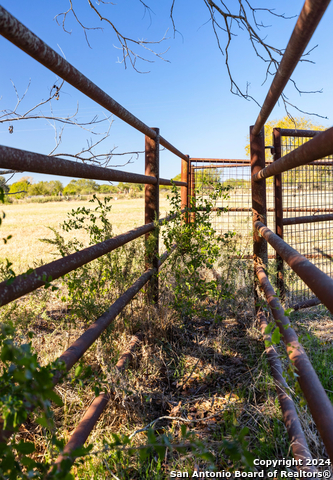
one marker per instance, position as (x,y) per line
(226,17)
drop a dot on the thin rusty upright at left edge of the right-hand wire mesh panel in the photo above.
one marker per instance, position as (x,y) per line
(278,211)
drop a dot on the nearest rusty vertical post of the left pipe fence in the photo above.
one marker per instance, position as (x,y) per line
(152,212)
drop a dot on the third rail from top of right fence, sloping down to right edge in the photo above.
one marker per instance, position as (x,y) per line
(320,283)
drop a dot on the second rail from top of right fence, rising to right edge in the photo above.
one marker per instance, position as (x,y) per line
(318,147)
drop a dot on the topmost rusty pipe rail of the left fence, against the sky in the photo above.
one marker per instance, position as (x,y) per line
(23,38)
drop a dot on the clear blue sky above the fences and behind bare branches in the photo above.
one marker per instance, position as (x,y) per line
(188,97)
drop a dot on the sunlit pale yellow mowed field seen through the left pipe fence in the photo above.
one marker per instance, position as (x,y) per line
(29,222)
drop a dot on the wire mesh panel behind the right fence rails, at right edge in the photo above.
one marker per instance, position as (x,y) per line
(307,191)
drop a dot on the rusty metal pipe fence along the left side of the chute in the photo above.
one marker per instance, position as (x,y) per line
(21,160)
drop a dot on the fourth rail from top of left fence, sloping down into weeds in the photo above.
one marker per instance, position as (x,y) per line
(71,356)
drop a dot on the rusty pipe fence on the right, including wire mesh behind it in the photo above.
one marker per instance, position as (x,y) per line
(309,156)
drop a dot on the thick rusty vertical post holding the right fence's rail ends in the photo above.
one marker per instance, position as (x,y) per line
(258,190)
